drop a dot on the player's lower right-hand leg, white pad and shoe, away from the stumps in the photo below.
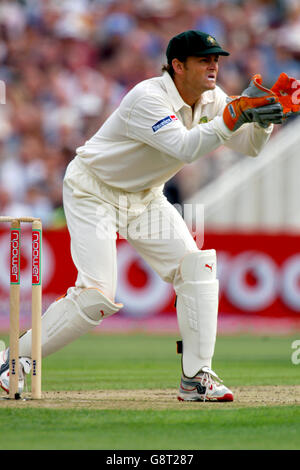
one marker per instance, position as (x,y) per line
(197,313)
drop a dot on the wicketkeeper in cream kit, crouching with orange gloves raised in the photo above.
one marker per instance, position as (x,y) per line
(115,184)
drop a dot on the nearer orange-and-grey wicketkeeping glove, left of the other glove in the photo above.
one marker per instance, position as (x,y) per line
(257,104)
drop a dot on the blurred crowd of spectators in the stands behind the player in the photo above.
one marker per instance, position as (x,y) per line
(66,64)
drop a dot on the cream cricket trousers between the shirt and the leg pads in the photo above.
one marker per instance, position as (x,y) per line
(95,212)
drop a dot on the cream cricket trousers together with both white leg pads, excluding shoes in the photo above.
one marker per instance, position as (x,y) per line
(95,213)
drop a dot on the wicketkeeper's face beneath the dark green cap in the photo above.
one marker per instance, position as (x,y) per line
(200,73)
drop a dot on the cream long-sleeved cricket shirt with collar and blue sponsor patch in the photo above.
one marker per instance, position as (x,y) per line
(153,133)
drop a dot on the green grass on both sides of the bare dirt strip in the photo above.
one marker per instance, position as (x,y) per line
(140,362)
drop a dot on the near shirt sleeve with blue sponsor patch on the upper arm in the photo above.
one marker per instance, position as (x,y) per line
(152,122)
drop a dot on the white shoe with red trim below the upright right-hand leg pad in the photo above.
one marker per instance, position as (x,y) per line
(205,386)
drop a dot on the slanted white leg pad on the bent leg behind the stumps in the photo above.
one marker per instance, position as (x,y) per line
(69,318)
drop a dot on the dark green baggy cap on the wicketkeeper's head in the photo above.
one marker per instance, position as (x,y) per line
(193,43)
